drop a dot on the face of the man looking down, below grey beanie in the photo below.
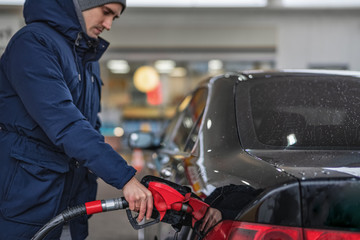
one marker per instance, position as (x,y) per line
(100,18)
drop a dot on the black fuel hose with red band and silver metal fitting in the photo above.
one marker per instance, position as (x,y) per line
(80,210)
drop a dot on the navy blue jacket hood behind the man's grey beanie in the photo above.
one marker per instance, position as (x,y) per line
(62,15)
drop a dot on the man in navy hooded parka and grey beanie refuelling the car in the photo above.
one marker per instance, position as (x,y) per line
(51,150)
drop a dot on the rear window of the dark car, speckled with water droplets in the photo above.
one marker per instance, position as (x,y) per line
(304,112)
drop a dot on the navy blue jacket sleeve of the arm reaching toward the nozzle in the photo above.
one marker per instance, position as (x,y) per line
(35,73)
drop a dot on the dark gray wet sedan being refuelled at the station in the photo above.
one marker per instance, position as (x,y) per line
(277,153)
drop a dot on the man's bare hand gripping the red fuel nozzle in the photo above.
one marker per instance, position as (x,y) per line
(139,198)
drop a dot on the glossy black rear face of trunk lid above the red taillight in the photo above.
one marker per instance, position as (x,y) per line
(331,204)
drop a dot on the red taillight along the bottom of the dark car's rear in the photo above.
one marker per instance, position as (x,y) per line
(233,230)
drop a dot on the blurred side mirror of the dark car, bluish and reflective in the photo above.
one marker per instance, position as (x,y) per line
(142,140)
